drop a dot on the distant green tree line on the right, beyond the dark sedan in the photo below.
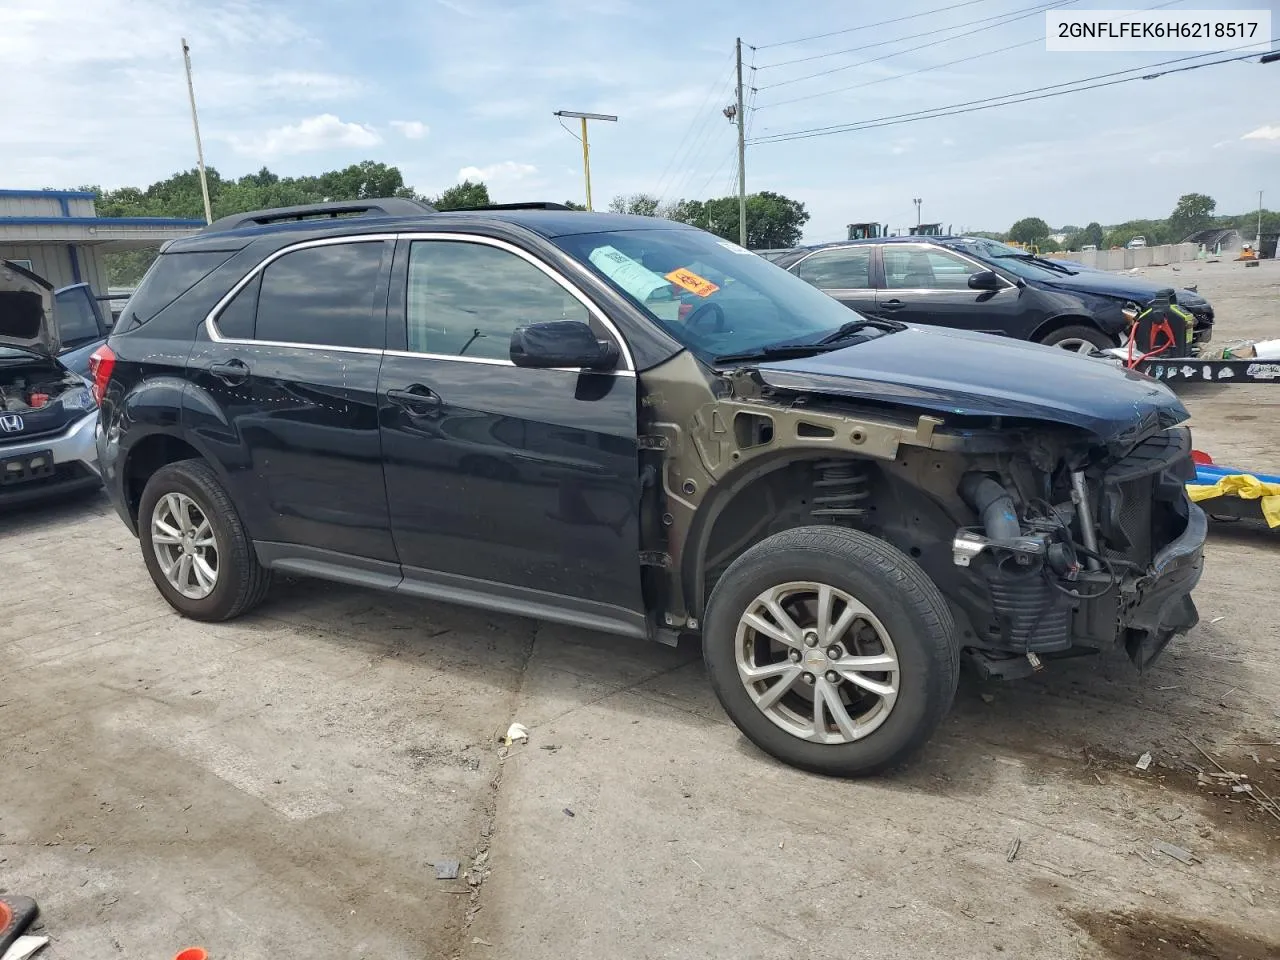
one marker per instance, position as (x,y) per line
(1194,213)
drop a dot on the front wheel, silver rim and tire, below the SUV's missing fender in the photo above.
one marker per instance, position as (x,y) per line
(831,651)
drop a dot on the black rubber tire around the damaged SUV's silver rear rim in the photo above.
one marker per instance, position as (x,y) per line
(241,582)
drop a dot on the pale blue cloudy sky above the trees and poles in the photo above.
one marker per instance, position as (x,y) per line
(456,89)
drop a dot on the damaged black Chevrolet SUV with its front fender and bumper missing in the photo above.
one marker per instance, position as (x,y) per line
(634,427)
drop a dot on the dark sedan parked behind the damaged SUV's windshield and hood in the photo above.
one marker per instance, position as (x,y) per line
(973,285)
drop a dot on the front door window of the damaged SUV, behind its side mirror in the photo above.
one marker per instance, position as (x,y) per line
(465,300)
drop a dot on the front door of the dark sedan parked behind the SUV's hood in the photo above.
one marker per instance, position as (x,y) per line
(927,285)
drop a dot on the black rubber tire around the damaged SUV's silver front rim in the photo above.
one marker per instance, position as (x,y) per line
(895,592)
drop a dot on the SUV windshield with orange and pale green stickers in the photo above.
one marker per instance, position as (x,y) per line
(711,295)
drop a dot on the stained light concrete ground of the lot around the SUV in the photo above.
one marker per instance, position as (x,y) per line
(282,785)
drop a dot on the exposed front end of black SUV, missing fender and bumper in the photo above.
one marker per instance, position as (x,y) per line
(1046,540)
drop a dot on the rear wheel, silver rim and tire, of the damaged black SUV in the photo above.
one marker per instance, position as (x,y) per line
(195,546)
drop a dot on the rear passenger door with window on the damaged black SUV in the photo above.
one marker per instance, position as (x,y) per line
(286,397)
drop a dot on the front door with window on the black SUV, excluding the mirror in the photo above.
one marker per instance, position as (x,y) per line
(505,481)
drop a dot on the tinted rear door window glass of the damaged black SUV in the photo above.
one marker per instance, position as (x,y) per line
(323,296)
